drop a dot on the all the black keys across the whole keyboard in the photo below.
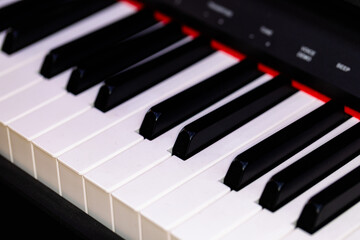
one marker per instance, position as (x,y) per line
(96,62)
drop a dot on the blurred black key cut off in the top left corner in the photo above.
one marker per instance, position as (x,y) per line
(17,11)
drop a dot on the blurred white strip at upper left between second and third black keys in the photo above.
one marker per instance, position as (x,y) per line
(37,51)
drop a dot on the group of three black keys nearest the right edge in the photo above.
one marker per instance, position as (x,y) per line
(307,171)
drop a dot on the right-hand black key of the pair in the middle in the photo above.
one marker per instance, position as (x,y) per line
(206,130)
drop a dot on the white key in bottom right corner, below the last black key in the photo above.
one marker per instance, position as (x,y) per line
(339,228)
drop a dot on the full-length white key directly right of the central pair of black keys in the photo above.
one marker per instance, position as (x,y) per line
(168,175)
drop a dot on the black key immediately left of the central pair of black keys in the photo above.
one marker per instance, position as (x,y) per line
(127,84)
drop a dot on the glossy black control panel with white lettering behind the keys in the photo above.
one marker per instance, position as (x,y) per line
(318,48)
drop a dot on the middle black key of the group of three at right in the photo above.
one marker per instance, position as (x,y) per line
(312,168)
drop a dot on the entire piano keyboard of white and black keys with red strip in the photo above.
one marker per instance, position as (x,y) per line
(161,134)
